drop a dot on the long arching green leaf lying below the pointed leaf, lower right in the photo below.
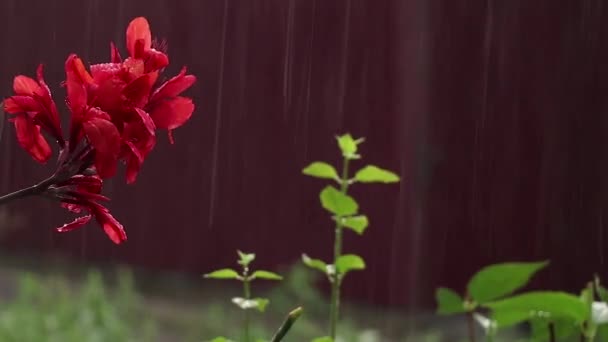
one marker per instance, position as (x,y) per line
(545,303)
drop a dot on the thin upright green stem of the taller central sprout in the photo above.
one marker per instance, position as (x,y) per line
(334,312)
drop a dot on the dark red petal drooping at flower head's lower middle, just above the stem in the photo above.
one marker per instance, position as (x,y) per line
(105,138)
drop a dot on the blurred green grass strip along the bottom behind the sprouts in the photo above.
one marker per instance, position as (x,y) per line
(62,301)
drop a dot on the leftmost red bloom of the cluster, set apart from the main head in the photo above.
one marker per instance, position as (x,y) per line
(34,109)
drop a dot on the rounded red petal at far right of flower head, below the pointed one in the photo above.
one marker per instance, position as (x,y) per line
(170,114)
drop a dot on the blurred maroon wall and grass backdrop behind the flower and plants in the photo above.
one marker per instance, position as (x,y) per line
(492,112)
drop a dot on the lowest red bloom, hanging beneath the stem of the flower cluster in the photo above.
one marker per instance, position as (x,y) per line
(82,193)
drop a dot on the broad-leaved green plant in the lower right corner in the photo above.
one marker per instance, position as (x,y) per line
(551,315)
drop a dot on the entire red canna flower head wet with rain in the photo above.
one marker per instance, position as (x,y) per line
(115,110)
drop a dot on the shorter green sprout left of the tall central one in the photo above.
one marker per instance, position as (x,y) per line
(245,303)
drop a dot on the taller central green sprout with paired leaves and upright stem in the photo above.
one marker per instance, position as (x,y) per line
(345,212)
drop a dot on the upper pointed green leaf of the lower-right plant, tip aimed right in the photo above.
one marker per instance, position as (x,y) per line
(495,281)
